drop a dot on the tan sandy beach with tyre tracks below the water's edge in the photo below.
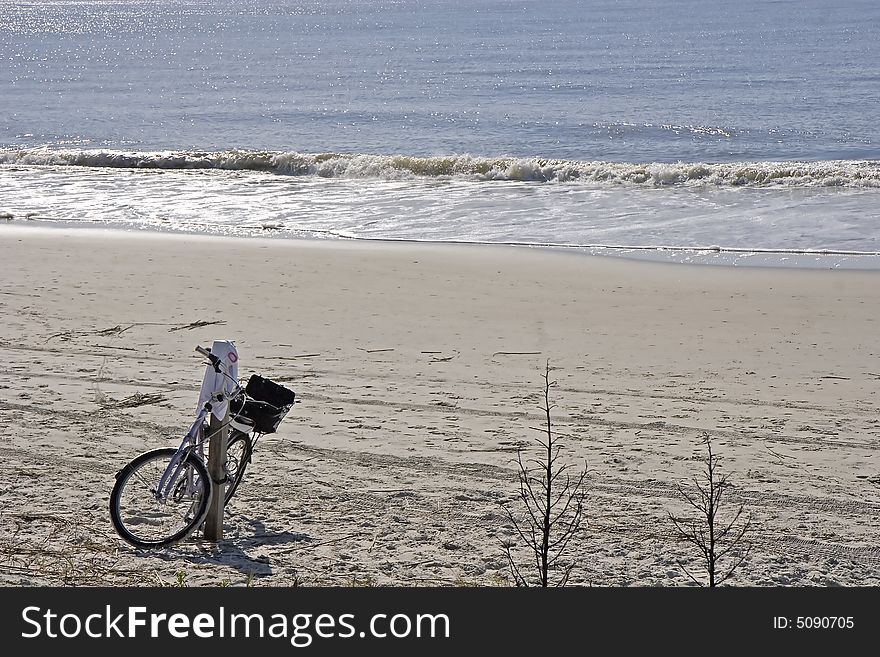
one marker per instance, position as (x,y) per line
(418,373)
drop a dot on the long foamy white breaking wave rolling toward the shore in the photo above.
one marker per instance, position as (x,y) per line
(829,173)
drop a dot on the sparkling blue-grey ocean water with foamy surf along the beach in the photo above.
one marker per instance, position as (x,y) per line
(715,132)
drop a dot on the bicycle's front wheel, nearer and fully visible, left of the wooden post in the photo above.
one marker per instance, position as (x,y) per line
(145,522)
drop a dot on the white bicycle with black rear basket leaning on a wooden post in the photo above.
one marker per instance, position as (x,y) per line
(163,495)
